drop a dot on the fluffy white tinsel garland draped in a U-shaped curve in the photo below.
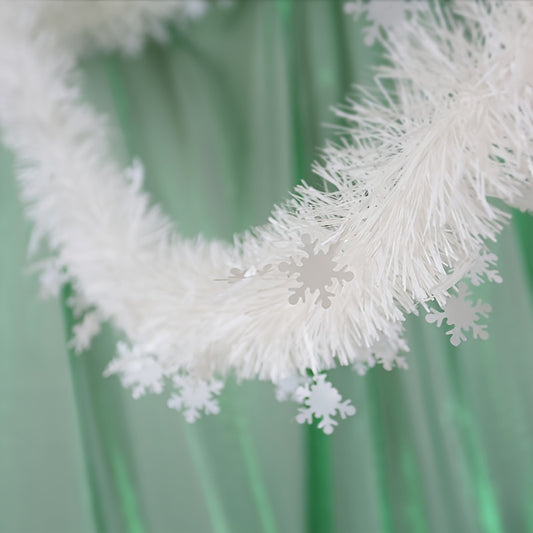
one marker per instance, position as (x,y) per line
(408,207)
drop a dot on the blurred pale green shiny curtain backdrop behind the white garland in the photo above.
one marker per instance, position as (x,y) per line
(226,118)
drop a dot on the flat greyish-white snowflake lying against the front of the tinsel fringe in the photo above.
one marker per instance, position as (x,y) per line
(316,272)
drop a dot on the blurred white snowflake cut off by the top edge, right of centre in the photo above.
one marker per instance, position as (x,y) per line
(385,14)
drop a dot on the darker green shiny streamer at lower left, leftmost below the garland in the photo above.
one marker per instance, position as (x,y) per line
(108,462)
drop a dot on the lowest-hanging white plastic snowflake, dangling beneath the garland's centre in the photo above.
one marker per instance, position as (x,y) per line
(323,401)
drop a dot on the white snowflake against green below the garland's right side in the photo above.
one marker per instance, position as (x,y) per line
(461,313)
